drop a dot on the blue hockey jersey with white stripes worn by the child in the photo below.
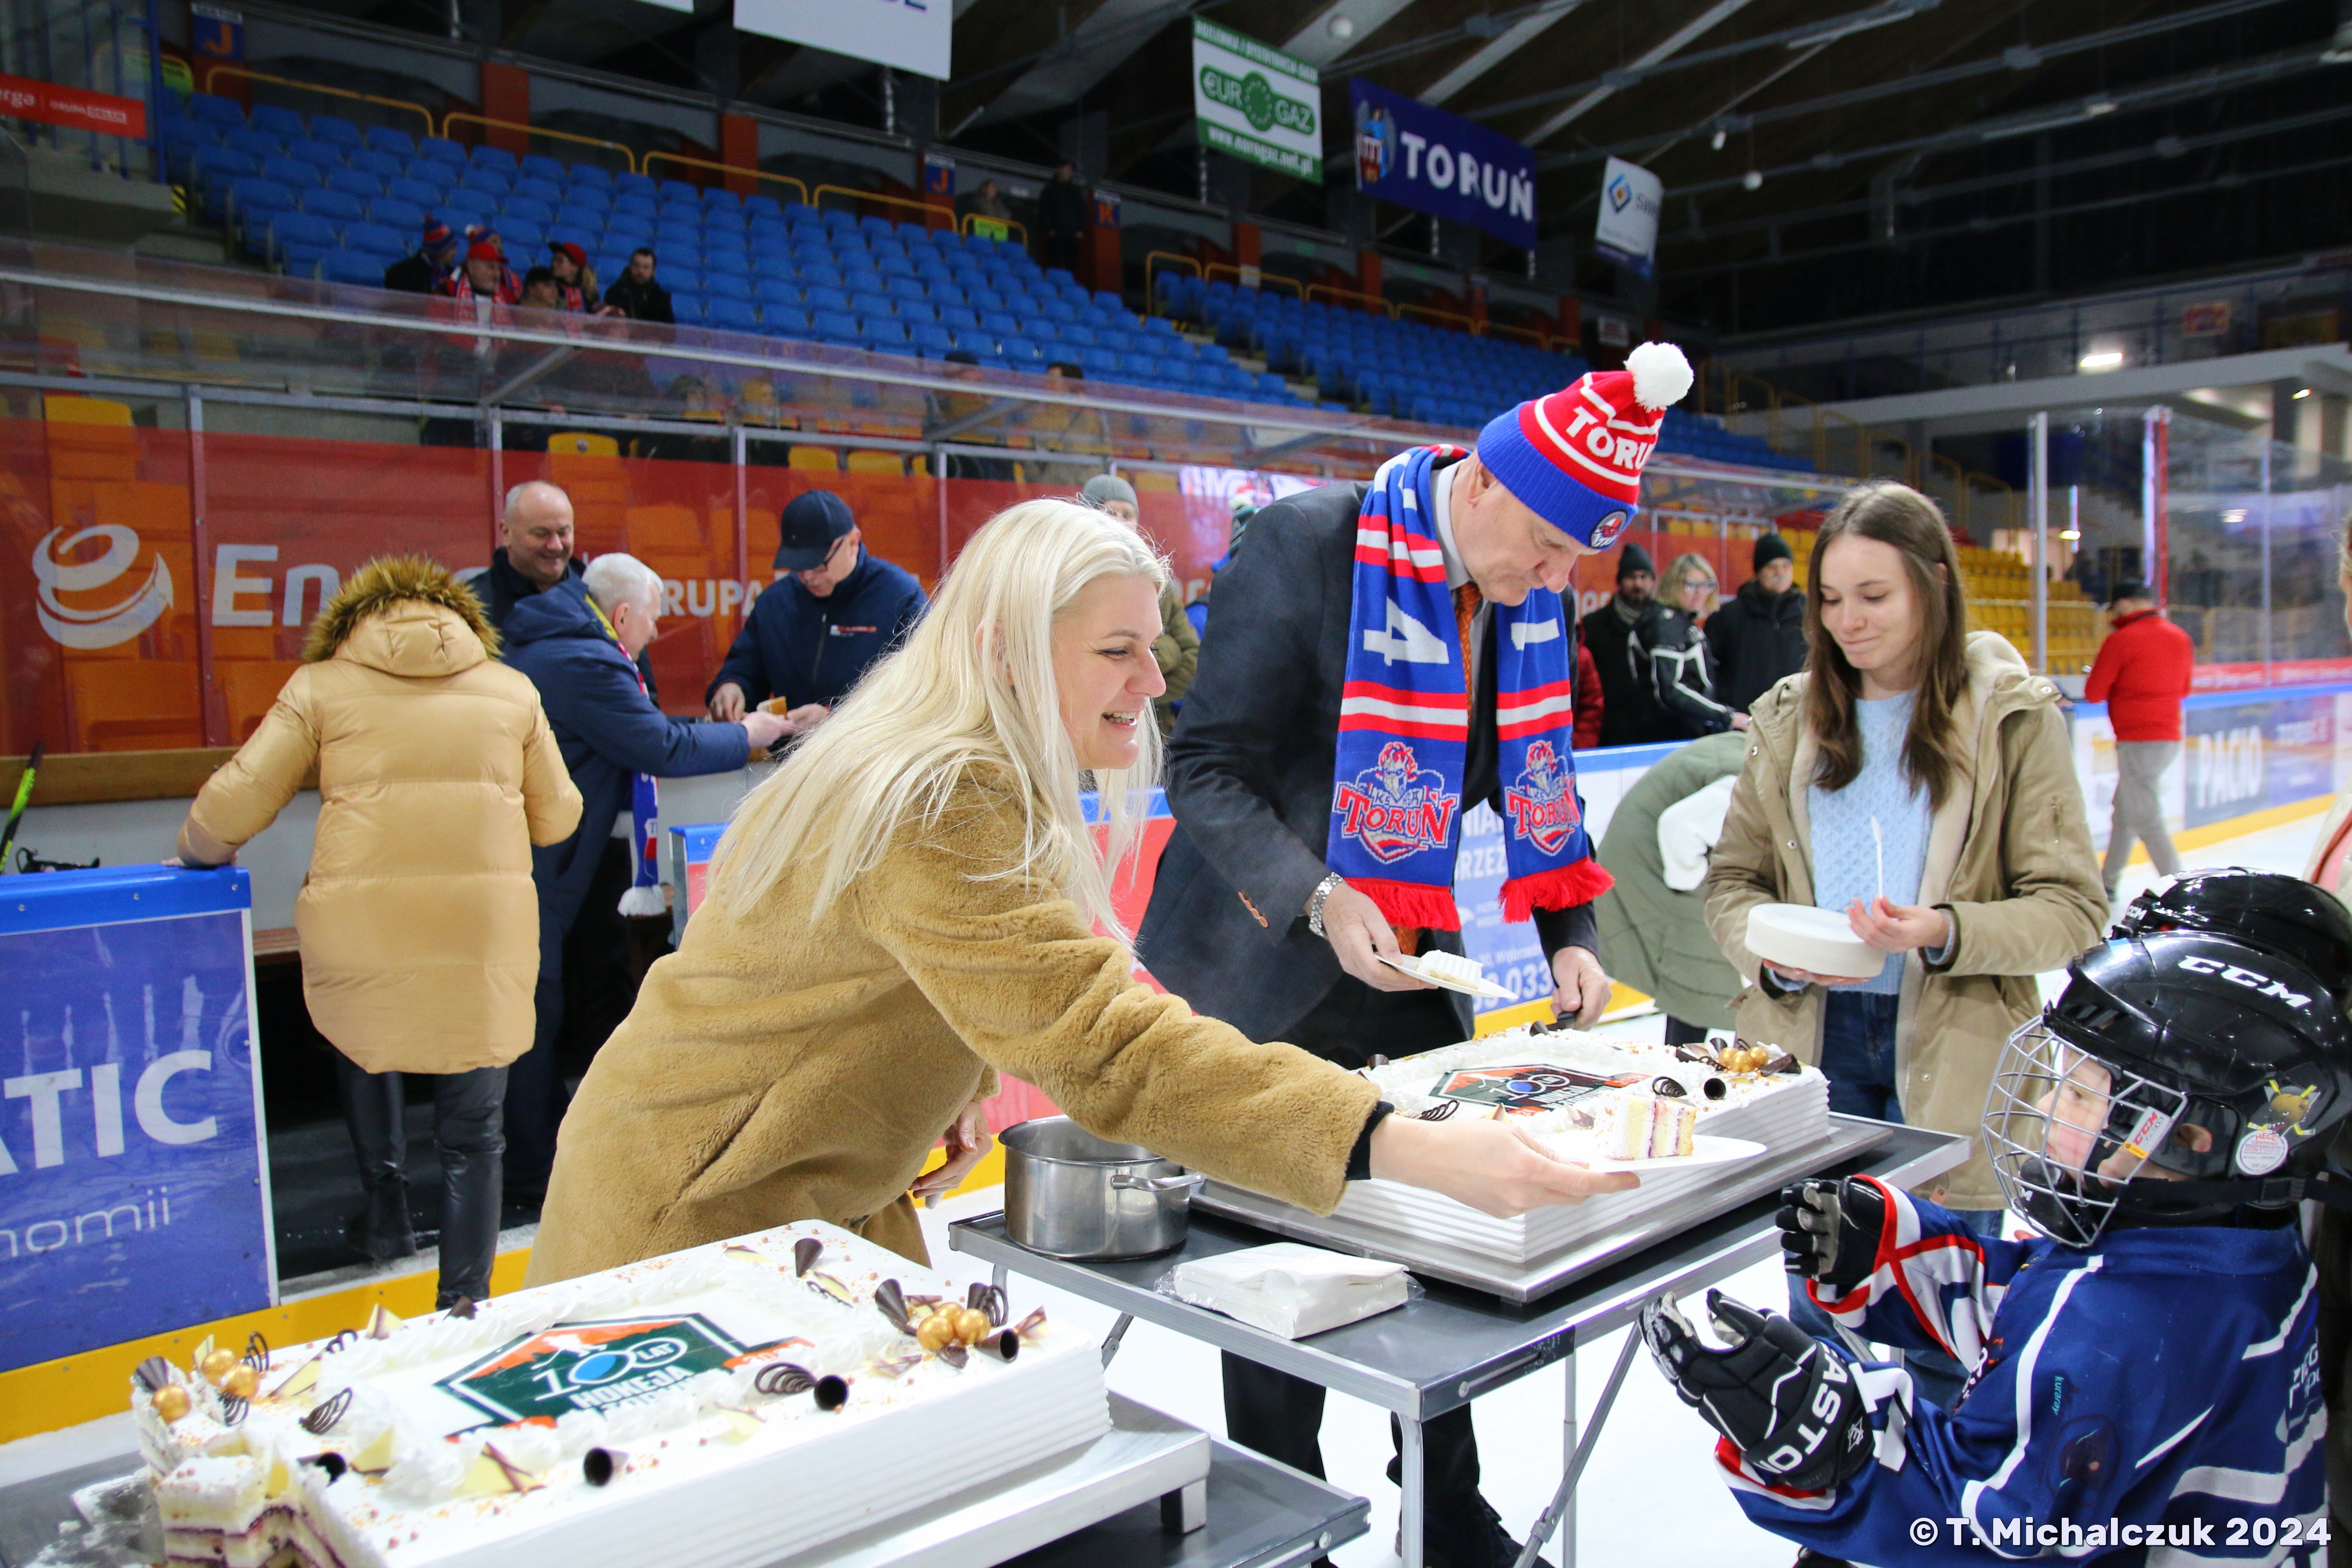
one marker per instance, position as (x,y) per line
(2153,1400)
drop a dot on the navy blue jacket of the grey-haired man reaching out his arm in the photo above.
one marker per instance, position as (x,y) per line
(608,732)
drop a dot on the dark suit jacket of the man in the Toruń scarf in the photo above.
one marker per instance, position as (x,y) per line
(1250,779)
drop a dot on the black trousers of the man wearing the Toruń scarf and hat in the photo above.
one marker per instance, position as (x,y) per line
(1281,1416)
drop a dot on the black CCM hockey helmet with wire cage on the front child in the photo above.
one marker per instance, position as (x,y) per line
(2217,1064)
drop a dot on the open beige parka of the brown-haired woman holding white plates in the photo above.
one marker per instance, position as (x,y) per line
(2010,857)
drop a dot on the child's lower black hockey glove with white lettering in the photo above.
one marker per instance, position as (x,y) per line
(1786,1402)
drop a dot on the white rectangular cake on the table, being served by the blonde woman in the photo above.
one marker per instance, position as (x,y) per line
(1586,1097)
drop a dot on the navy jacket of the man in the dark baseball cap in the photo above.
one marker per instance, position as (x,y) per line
(810,650)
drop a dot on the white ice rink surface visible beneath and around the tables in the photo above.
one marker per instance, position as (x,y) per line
(1652,1492)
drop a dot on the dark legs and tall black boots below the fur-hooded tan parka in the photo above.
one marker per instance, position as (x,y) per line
(472,1146)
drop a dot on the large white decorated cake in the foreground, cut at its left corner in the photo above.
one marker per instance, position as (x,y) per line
(730,1405)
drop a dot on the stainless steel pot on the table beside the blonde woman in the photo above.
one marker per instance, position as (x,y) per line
(1074,1195)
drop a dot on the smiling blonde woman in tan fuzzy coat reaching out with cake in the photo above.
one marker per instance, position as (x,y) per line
(914,904)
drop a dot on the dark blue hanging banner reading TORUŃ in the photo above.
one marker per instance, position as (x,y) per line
(1445,166)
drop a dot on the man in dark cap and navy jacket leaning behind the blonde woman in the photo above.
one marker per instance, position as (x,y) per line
(829,615)
